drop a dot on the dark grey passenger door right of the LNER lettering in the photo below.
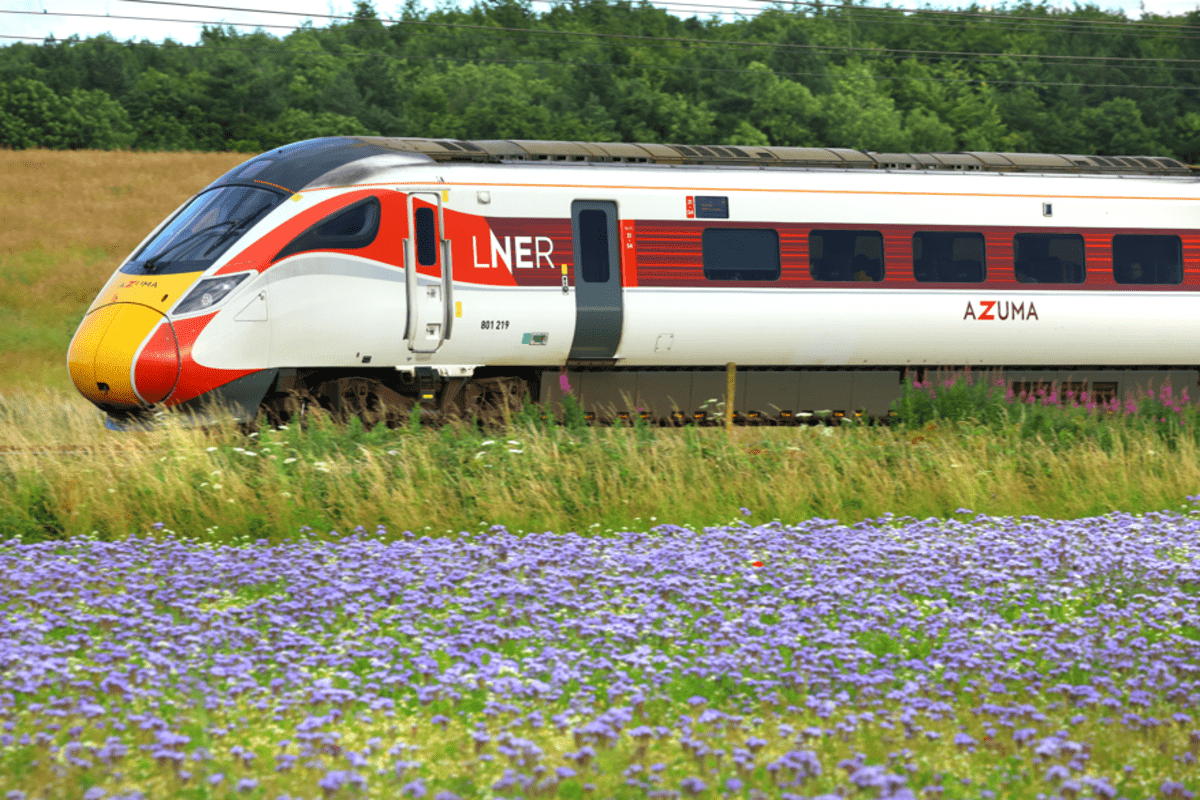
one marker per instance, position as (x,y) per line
(598,296)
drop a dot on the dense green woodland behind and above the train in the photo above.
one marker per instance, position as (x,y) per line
(1027,79)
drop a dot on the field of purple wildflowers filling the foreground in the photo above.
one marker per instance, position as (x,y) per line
(974,658)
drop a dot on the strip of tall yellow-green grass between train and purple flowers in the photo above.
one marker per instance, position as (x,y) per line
(63,474)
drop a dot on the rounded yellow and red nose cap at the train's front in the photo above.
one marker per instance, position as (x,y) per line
(125,354)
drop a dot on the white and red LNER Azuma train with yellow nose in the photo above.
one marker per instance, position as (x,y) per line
(373,275)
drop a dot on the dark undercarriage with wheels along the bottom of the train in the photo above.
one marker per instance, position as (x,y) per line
(665,398)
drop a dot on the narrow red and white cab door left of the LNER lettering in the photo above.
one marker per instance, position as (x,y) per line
(430,298)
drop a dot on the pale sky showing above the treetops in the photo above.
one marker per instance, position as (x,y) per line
(41,19)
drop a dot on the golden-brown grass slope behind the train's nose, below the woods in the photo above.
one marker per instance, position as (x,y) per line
(68,219)
